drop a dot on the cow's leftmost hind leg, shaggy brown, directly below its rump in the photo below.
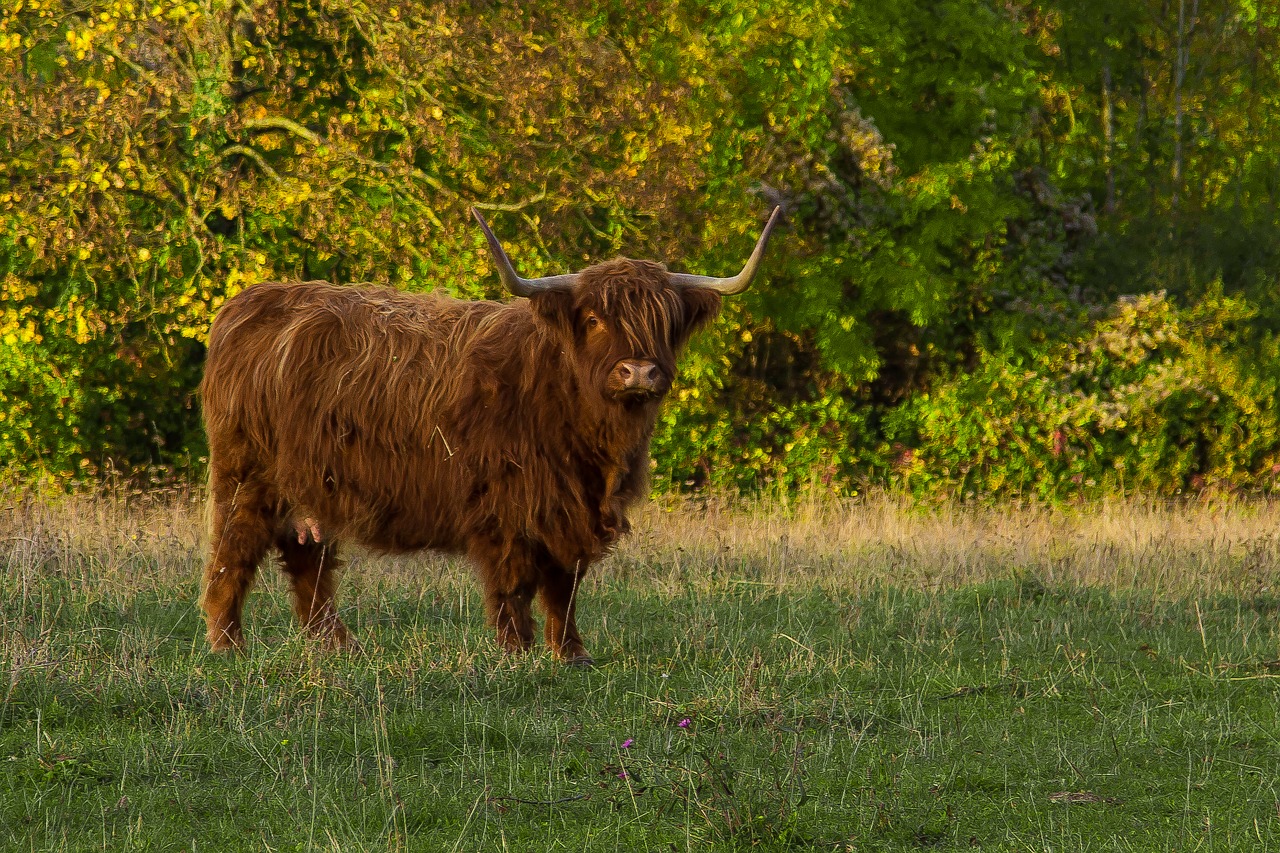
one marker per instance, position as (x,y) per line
(240,536)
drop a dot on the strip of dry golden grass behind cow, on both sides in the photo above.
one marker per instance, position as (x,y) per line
(145,541)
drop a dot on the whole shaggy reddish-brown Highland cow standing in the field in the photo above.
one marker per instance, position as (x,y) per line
(514,434)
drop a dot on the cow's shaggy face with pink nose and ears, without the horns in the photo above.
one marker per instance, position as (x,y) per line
(625,326)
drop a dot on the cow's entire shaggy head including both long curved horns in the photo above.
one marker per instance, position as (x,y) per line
(625,321)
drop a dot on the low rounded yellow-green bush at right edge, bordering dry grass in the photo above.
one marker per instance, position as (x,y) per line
(1154,399)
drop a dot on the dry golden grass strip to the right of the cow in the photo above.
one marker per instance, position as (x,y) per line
(1174,550)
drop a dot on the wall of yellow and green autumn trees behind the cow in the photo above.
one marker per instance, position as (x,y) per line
(962,181)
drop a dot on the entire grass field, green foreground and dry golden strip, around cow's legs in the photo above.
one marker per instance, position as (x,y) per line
(828,677)
